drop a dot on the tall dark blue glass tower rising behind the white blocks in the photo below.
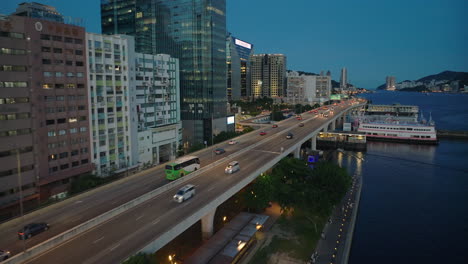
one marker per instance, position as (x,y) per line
(195,33)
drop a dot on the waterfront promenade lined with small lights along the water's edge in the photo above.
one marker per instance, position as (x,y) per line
(335,244)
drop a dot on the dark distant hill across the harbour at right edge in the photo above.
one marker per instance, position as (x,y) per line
(431,81)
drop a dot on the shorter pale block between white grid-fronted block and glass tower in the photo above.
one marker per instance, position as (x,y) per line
(157,103)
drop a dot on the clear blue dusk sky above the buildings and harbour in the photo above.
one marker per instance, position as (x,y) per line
(408,39)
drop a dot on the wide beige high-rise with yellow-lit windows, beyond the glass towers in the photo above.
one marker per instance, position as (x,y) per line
(268,75)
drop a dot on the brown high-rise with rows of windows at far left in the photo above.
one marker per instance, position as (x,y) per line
(43,108)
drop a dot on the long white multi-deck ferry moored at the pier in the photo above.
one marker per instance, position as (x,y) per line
(391,127)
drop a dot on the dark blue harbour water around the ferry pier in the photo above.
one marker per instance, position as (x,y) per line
(414,198)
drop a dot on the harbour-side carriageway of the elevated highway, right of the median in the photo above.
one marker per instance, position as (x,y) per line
(151,220)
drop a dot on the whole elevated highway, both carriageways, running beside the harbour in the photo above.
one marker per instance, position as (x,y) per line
(149,225)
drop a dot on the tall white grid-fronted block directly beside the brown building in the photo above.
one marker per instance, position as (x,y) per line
(113,114)
